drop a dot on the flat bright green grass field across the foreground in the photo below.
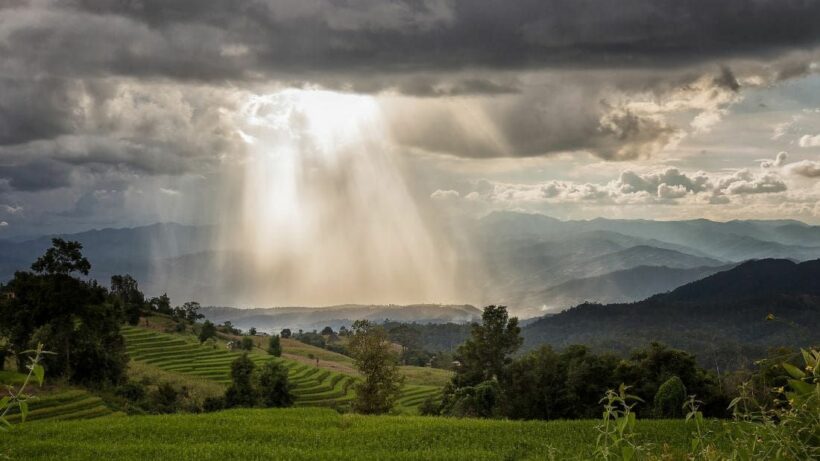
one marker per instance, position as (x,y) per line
(319,434)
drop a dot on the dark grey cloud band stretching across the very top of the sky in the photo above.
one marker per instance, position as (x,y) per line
(222,39)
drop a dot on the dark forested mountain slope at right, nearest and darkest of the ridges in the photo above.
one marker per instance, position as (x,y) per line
(721,318)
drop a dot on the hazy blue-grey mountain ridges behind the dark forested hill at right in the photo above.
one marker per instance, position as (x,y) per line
(533,260)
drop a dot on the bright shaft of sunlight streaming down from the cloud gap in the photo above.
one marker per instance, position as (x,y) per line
(325,215)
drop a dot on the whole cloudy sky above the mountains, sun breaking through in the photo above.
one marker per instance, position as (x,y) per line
(120,113)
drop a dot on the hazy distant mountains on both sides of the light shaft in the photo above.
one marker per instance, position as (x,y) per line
(532,263)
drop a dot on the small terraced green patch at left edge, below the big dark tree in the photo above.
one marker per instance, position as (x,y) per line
(65,405)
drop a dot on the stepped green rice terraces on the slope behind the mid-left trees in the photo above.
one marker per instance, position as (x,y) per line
(312,386)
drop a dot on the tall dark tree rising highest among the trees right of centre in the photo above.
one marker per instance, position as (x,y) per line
(488,351)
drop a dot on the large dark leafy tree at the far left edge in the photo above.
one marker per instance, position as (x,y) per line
(77,318)
